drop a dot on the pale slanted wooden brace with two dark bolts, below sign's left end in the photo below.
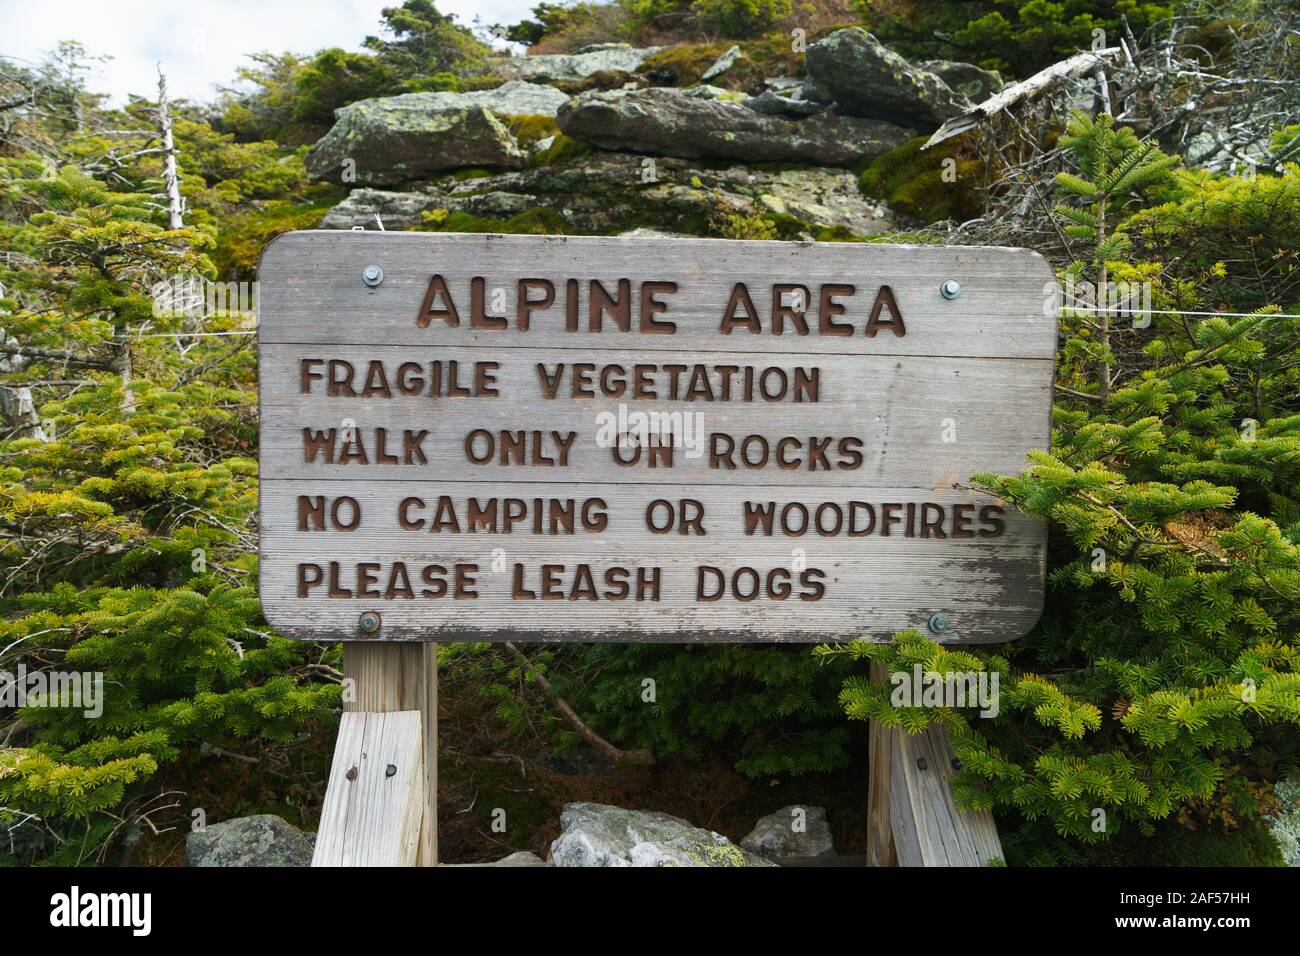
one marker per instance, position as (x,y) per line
(371,817)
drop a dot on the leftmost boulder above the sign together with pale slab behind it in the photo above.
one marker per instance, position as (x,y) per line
(396,139)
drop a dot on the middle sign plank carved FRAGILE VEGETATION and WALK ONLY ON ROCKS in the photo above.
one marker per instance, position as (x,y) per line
(922,423)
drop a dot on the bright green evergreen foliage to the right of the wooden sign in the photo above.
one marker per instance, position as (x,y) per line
(1162,684)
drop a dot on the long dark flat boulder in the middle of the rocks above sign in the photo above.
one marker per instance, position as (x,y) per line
(677,123)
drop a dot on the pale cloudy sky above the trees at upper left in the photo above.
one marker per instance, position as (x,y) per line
(202,42)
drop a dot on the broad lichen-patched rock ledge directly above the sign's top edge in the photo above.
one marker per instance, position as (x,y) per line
(609,193)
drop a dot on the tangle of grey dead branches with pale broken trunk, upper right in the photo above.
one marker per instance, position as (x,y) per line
(1217,109)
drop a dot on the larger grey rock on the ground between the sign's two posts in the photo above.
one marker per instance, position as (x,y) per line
(603,836)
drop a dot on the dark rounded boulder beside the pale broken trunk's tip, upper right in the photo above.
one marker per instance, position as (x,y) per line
(868,79)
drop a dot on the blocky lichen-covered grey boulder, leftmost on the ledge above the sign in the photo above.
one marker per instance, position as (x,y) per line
(391,142)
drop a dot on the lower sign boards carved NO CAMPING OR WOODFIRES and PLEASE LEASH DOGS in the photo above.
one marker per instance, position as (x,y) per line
(991,589)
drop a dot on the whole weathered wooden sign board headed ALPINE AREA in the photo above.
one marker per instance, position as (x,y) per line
(491,438)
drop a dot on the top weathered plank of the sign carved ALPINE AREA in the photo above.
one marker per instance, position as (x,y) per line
(311,291)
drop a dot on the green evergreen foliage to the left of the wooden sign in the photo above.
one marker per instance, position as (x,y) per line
(128,520)
